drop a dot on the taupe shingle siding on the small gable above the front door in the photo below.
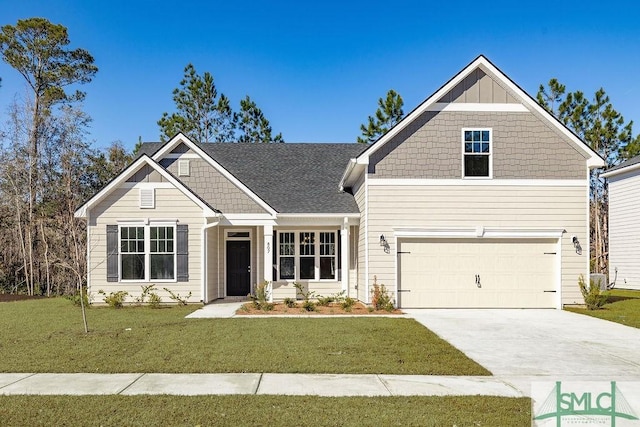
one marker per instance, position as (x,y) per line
(213,187)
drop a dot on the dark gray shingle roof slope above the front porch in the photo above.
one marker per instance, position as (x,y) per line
(289,178)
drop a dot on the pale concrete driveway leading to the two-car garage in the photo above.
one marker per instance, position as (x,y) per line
(539,343)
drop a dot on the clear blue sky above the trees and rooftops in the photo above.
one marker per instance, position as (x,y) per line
(317,69)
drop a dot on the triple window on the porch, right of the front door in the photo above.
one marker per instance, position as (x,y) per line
(308,255)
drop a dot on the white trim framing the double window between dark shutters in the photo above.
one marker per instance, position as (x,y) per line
(147,250)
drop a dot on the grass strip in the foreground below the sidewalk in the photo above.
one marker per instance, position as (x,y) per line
(263,410)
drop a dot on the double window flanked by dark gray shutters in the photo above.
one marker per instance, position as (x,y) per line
(147,252)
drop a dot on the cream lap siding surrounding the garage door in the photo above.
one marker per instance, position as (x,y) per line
(492,206)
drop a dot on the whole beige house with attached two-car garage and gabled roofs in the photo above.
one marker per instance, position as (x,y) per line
(472,200)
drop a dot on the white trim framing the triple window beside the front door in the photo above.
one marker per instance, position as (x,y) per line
(316,256)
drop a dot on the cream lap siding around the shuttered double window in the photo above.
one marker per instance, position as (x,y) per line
(123,204)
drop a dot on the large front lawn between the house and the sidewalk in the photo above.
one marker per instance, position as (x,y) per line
(47,336)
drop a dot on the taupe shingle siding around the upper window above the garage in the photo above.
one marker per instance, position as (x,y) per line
(524,147)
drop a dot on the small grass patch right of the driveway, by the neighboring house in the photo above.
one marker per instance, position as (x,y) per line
(623,306)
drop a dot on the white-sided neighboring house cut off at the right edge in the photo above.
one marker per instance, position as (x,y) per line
(624,232)
